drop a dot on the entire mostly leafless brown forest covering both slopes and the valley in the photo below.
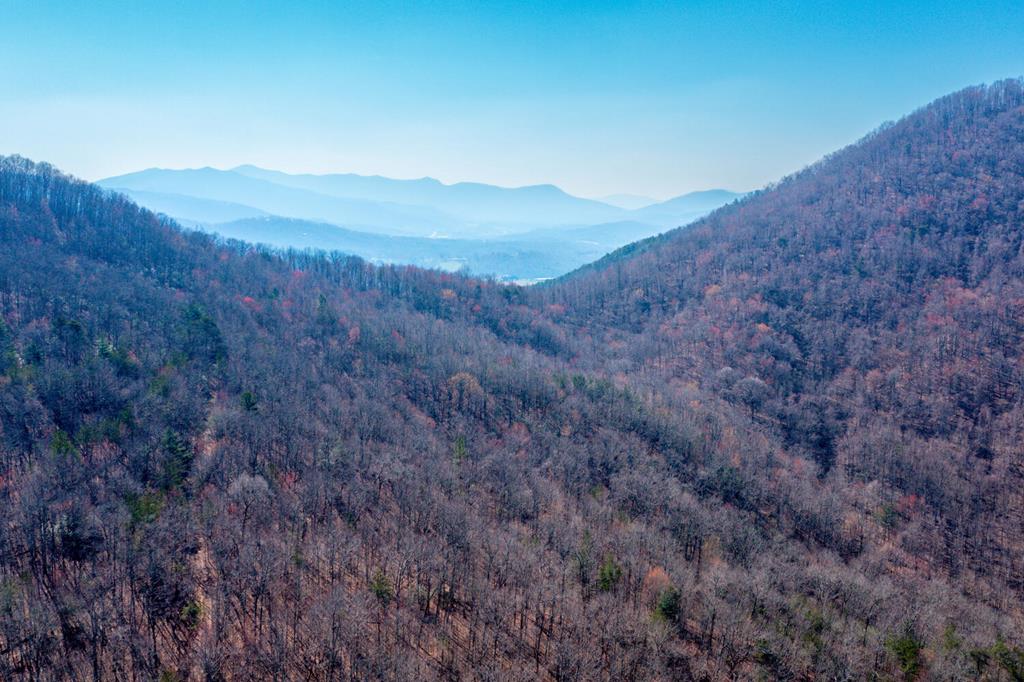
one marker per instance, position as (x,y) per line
(783,444)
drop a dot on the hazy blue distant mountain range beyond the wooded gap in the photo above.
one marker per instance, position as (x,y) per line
(531,233)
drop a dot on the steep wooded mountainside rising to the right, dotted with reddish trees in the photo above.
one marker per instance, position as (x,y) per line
(870,313)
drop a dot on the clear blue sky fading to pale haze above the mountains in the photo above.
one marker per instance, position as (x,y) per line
(647,98)
